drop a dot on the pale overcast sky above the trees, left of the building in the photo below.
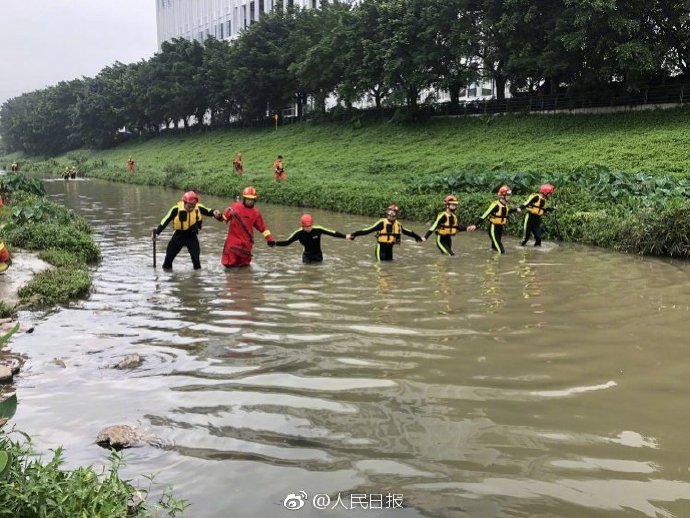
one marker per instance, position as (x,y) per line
(43,42)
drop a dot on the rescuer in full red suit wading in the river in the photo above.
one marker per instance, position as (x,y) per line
(242,218)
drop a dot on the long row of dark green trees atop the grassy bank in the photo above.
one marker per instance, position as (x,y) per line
(383,52)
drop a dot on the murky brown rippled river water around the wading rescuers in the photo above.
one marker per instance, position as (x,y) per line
(540,383)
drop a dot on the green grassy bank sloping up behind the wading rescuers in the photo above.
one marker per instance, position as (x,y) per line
(622,179)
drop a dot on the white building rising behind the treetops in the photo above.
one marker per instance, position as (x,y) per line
(223,19)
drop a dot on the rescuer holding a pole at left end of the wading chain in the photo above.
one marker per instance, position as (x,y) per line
(186,216)
